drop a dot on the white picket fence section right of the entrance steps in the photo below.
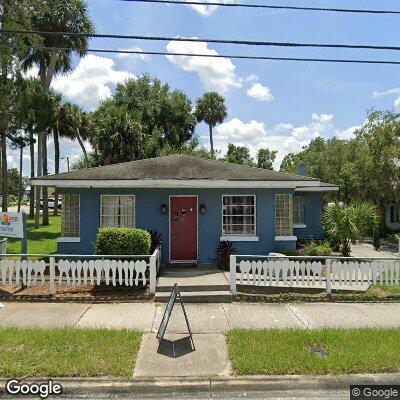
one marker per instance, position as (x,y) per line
(303,271)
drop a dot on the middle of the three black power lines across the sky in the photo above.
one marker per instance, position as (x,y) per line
(197,40)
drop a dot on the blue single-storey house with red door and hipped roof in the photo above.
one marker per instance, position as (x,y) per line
(194,203)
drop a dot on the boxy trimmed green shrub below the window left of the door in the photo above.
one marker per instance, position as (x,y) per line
(123,241)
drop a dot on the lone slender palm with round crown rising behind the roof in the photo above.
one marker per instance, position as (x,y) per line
(212,110)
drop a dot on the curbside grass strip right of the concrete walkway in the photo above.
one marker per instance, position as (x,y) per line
(277,352)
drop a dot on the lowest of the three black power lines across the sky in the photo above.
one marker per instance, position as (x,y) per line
(232,56)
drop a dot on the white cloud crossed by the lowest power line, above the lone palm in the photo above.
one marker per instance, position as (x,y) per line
(214,73)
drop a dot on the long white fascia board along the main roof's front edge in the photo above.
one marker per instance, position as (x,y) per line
(172,183)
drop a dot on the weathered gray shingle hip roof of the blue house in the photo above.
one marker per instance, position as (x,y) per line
(176,167)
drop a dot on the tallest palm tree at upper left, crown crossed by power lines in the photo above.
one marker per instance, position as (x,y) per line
(57,16)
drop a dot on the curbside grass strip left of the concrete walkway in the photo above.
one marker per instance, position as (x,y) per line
(68,352)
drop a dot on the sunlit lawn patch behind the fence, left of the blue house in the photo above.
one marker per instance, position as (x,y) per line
(41,240)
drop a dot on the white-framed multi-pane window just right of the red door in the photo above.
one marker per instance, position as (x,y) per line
(238,215)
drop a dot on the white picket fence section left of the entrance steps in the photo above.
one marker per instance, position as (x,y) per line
(81,270)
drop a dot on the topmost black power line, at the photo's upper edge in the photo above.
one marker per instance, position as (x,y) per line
(270,6)
